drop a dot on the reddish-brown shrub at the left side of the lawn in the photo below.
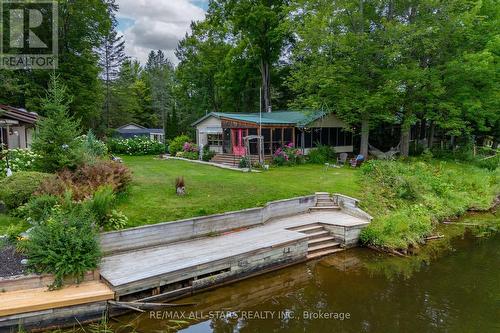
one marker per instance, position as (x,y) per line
(85,181)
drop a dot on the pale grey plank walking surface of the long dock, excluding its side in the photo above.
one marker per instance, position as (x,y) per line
(162,262)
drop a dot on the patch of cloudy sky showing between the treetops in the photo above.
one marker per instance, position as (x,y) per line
(156,25)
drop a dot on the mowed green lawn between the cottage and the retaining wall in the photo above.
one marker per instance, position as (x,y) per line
(152,199)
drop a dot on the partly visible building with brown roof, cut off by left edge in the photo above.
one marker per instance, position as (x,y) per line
(16,127)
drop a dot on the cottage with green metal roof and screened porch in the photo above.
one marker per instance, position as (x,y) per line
(224,133)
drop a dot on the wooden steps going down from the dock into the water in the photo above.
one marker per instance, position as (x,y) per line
(320,243)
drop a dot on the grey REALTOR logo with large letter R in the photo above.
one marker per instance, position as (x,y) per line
(28,34)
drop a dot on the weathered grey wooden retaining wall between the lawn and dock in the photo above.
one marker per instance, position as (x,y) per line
(169,232)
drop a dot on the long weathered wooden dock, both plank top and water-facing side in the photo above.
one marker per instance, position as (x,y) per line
(194,260)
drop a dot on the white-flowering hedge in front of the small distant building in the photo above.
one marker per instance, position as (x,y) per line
(135,146)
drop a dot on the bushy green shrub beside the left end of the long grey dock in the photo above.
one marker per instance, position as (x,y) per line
(66,246)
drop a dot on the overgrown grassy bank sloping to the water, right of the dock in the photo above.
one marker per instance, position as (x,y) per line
(409,198)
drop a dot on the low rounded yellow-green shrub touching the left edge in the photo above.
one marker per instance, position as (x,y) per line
(17,189)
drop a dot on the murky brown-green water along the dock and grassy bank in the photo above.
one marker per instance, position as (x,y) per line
(450,286)
